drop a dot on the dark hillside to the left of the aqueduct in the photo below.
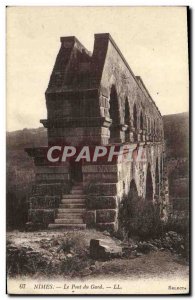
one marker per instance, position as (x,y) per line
(20,172)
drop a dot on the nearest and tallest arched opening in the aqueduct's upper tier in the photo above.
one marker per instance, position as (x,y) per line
(115,116)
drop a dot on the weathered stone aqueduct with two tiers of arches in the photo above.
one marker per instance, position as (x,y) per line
(95,99)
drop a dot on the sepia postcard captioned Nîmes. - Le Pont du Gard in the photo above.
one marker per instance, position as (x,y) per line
(97,150)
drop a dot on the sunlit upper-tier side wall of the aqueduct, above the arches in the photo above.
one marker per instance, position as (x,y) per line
(117,73)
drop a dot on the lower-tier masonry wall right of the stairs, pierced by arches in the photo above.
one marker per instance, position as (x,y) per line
(106,184)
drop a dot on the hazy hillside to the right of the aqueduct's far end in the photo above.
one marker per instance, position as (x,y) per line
(176,129)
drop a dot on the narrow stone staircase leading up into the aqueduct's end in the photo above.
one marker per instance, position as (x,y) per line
(71,210)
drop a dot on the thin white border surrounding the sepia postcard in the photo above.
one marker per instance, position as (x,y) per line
(3,4)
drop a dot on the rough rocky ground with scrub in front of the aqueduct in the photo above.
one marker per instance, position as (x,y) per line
(67,254)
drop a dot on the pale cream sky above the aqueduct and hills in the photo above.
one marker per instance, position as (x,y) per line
(152,39)
